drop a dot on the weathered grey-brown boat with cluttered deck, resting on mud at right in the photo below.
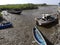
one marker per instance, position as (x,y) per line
(46,19)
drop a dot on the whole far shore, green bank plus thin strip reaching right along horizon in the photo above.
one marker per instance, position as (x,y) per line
(22,6)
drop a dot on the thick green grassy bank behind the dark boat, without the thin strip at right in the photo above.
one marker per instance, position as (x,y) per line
(18,6)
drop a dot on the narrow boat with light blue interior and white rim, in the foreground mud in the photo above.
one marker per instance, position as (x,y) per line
(38,37)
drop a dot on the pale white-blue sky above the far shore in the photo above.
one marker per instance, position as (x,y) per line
(4,2)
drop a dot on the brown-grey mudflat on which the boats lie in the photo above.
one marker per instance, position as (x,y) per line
(21,33)
